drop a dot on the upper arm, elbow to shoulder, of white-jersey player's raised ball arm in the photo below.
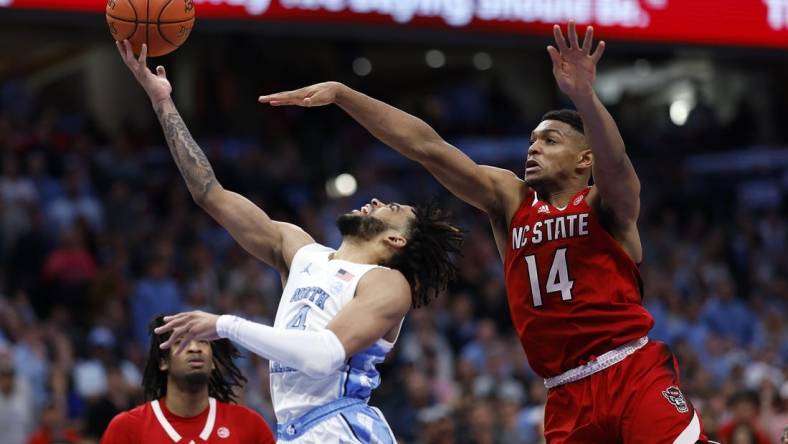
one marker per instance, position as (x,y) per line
(275,243)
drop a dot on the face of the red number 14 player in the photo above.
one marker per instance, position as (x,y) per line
(554,152)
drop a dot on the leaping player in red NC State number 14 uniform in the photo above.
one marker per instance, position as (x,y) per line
(570,253)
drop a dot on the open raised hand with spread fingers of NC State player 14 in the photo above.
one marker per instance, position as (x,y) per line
(574,65)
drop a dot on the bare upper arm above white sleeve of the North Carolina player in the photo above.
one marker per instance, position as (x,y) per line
(382,299)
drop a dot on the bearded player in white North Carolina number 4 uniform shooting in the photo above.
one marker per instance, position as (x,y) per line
(341,310)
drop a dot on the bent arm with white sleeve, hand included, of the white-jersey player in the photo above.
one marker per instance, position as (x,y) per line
(382,299)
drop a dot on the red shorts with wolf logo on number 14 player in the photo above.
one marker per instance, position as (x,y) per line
(635,401)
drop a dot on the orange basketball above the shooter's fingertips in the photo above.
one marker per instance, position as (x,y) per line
(163,24)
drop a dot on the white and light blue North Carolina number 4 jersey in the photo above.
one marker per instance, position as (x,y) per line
(317,289)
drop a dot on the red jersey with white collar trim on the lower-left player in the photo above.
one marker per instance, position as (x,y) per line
(220,423)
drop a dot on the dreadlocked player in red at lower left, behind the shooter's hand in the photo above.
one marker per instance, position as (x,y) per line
(191,399)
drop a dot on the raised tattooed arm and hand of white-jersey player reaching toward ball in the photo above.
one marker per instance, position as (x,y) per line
(273,242)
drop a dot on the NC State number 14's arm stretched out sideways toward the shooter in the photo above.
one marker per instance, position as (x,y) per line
(477,185)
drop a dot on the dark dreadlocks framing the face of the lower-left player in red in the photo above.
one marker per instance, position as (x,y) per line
(223,379)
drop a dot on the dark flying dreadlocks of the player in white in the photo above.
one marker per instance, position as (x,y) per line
(426,261)
